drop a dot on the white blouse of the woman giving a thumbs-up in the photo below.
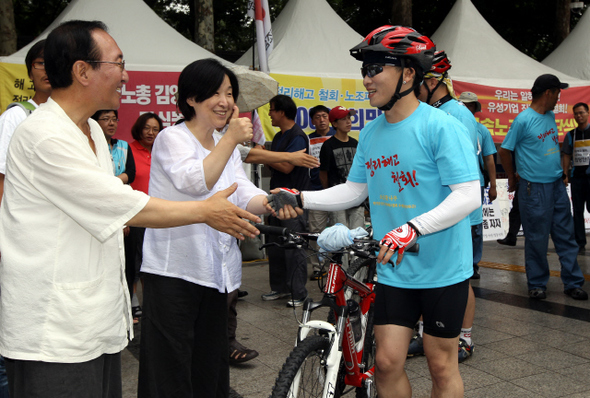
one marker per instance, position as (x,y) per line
(195,253)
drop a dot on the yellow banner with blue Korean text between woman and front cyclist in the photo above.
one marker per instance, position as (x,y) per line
(308,92)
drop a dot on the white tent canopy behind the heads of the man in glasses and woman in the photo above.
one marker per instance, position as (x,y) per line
(148,43)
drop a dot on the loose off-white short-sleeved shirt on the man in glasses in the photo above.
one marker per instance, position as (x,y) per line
(64,295)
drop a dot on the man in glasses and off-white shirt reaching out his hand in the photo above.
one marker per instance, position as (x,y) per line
(65,312)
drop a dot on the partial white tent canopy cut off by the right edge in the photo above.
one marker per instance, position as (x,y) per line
(572,56)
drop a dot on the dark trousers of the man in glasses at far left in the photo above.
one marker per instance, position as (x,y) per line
(98,378)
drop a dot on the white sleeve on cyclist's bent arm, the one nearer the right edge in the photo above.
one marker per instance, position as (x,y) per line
(463,199)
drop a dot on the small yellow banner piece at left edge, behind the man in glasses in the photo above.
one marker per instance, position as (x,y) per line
(15,85)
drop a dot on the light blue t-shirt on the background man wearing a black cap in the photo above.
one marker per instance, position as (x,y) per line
(533,138)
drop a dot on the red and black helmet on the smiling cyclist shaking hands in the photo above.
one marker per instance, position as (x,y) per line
(401,41)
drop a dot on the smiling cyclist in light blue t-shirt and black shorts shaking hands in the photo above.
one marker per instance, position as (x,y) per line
(417,166)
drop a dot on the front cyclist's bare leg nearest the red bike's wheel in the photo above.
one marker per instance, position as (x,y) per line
(392,347)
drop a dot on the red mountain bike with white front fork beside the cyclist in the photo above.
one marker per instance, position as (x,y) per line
(333,357)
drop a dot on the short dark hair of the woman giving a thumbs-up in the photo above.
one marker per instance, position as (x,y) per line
(200,80)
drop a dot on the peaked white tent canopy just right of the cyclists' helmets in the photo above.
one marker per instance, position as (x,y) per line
(480,55)
